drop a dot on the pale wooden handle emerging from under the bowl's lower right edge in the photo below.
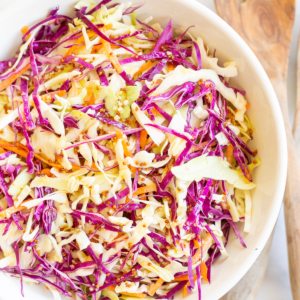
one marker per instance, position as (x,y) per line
(248,287)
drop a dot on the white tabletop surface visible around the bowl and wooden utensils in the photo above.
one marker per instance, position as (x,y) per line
(276,285)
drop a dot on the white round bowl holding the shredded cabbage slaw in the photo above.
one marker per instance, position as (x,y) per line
(264,113)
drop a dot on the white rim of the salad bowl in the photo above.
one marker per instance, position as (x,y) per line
(279,131)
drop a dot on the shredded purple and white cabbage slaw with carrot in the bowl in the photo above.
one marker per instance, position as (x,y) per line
(123,157)
